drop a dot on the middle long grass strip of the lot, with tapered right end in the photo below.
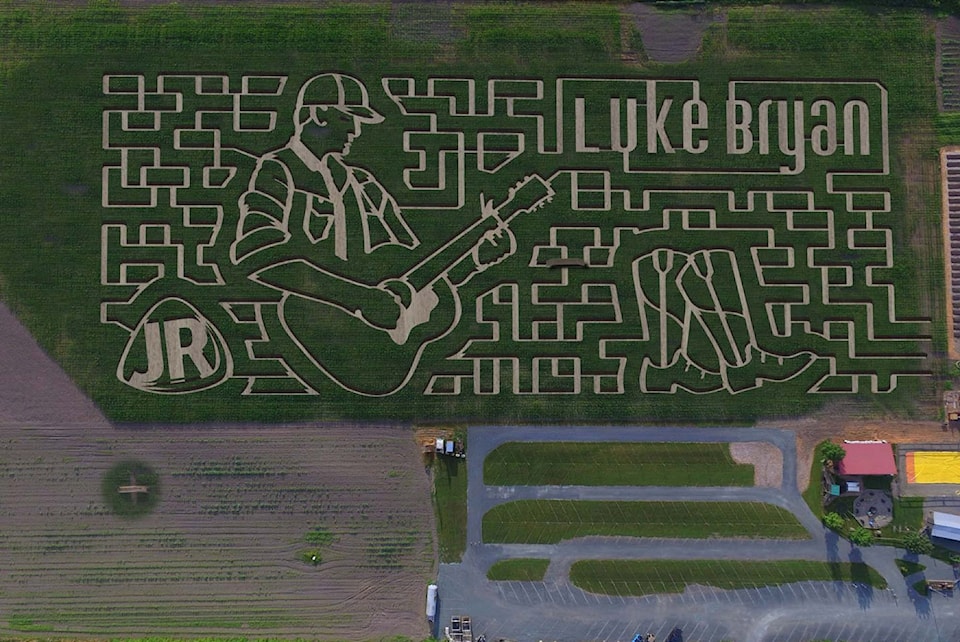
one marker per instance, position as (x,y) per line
(550,521)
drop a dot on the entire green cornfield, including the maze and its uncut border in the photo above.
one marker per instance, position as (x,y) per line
(726,237)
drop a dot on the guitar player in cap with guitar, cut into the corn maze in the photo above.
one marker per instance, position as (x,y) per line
(321,231)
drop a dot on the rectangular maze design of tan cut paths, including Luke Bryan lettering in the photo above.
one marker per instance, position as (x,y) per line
(742,281)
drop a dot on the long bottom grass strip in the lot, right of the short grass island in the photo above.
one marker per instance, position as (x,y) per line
(645,577)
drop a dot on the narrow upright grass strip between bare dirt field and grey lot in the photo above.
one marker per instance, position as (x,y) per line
(450,503)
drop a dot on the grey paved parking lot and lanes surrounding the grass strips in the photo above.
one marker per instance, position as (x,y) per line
(556,610)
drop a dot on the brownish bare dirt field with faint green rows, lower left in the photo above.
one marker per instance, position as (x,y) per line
(219,554)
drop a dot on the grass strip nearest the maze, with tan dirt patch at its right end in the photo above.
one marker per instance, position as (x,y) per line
(615,464)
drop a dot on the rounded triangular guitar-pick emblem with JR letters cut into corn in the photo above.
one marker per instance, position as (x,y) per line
(174,349)
